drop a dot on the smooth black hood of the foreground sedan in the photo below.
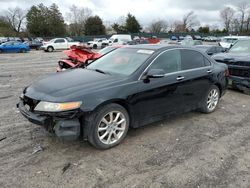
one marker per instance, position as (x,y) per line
(71,85)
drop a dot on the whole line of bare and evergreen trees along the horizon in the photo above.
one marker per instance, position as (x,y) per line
(44,21)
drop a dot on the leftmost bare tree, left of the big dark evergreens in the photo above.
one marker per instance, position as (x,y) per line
(15,17)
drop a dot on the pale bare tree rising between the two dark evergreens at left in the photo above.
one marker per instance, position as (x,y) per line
(77,18)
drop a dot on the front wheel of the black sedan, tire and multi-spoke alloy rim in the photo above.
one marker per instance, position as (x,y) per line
(107,126)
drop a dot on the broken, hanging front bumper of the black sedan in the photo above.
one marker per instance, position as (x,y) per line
(65,125)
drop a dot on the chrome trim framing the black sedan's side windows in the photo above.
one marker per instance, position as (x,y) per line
(182,71)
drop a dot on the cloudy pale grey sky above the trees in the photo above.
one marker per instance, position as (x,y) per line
(146,11)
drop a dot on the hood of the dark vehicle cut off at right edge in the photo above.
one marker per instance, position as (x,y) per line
(232,57)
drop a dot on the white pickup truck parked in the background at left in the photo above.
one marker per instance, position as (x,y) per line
(58,44)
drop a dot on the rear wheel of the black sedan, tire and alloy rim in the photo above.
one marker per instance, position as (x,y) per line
(211,100)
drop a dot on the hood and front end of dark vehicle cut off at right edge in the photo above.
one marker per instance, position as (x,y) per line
(239,69)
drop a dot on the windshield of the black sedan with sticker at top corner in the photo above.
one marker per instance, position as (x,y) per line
(123,61)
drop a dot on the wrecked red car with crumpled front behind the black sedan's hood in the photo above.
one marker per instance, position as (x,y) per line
(78,56)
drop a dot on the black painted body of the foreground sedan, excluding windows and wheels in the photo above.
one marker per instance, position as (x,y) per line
(146,100)
